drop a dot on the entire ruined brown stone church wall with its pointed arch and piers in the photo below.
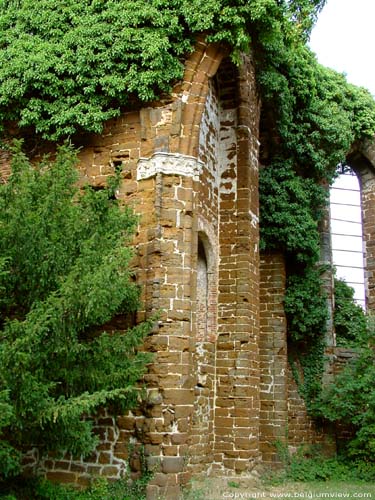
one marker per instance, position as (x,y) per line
(219,392)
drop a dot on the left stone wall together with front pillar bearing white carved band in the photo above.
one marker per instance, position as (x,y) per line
(156,149)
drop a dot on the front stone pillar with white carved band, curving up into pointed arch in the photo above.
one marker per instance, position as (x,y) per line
(178,431)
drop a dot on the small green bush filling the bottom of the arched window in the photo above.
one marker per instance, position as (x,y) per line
(349,318)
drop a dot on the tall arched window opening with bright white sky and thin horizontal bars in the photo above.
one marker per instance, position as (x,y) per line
(347,233)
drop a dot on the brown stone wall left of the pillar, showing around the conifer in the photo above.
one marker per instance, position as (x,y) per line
(119,147)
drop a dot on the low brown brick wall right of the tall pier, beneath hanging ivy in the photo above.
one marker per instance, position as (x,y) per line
(283,415)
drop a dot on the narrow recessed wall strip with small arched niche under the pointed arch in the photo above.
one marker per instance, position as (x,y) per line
(205,256)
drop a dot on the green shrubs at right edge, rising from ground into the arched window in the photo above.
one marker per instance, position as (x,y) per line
(350,399)
